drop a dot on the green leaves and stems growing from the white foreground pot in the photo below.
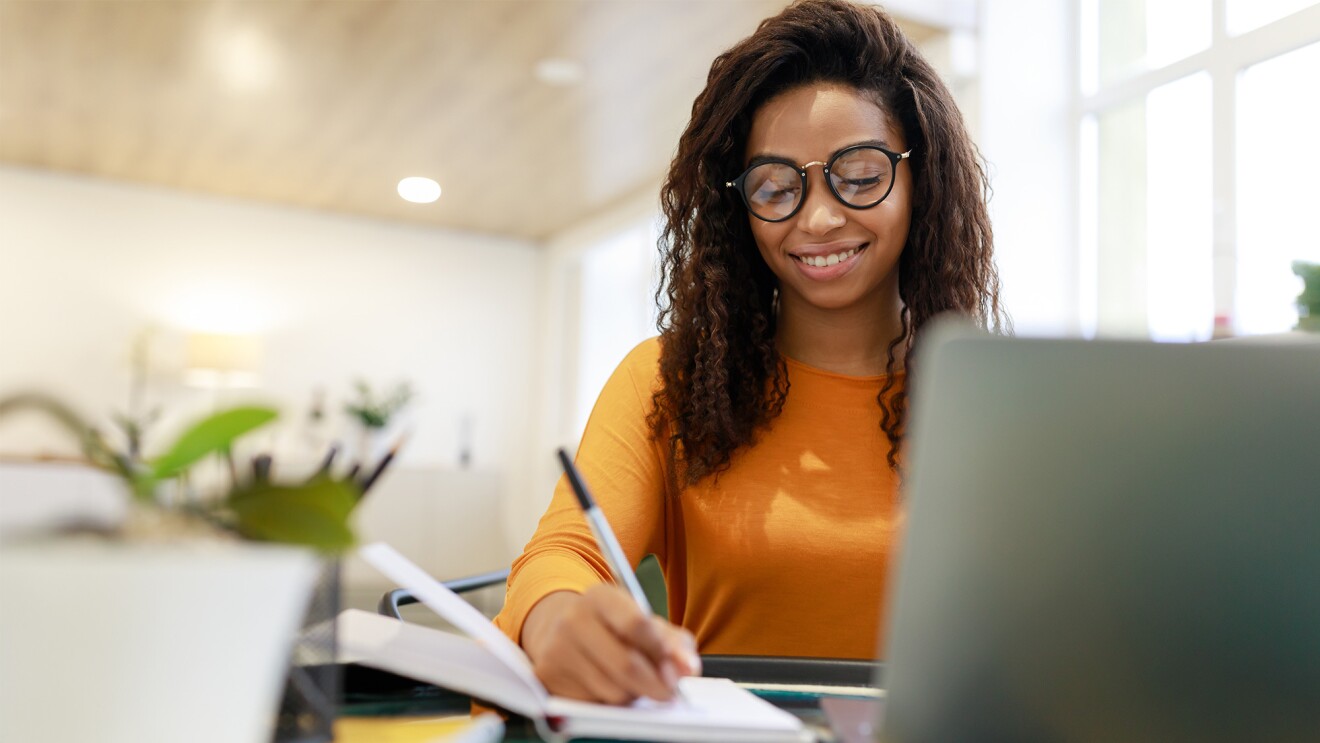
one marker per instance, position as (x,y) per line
(312,514)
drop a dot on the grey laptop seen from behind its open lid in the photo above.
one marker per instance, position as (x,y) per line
(1108,542)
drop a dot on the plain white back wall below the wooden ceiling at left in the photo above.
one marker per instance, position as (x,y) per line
(85,266)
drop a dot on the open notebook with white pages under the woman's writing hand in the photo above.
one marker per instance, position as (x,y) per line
(490,667)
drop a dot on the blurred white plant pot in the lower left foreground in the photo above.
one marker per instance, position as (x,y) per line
(145,645)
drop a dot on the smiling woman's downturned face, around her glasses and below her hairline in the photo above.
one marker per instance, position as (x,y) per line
(810,125)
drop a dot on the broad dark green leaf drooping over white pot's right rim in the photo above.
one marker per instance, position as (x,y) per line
(315,514)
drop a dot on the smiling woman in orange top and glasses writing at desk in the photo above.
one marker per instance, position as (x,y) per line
(824,205)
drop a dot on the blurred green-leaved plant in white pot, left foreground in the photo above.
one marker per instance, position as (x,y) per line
(176,626)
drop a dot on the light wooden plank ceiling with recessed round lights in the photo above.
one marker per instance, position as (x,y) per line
(328,104)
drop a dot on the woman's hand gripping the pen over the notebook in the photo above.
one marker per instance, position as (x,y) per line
(600,646)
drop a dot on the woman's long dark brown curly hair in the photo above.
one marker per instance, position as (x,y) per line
(723,377)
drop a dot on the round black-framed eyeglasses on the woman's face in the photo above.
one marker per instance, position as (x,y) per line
(860,178)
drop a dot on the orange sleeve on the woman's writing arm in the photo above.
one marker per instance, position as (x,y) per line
(625,472)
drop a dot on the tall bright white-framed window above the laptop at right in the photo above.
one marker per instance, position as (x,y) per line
(1198,168)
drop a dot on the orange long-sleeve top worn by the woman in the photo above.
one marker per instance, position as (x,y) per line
(785,555)
